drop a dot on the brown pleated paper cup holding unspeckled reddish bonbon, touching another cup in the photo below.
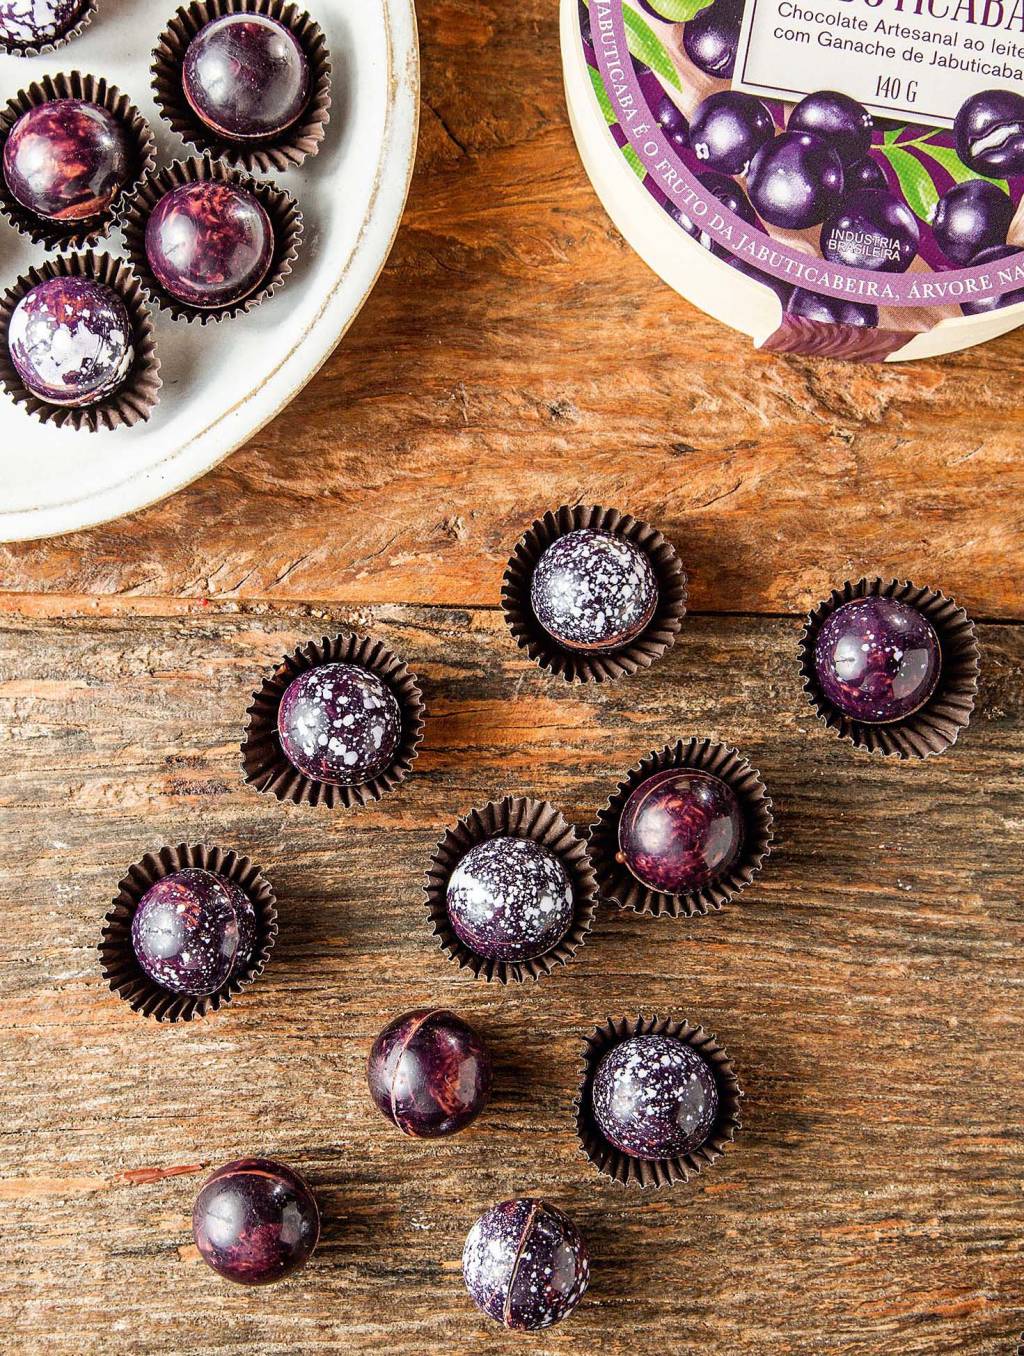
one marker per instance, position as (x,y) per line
(619,885)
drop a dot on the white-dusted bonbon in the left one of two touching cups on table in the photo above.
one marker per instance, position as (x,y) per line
(511,900)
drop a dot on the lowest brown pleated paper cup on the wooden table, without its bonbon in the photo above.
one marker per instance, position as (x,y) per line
(637,1172)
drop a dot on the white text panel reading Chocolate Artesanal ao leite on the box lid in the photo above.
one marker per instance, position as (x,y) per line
(913,60)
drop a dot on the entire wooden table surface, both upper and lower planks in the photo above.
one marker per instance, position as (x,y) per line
(517,356)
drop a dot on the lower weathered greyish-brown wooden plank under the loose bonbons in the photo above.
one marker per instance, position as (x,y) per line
(869,988)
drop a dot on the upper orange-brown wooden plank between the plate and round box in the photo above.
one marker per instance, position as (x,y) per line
(517,356)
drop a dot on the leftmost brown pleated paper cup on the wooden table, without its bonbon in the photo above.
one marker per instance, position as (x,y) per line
(119,961)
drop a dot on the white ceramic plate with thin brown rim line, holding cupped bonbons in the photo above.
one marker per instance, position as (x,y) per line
(223,383)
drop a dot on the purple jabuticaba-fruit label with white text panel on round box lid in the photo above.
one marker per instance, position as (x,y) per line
(866,191)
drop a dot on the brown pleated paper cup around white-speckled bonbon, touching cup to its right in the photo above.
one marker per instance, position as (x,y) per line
(513,818)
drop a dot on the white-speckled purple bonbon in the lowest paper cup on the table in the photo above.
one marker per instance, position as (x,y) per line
(654,1098)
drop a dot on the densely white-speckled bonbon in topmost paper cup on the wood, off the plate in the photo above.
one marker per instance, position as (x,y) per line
(592,591)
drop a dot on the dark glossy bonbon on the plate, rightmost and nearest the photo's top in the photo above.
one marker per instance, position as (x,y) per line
(246,78)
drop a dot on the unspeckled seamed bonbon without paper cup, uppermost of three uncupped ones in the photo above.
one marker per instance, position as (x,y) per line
(429,1073)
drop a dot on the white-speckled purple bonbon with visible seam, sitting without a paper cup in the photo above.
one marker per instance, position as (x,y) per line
(526,1264)
